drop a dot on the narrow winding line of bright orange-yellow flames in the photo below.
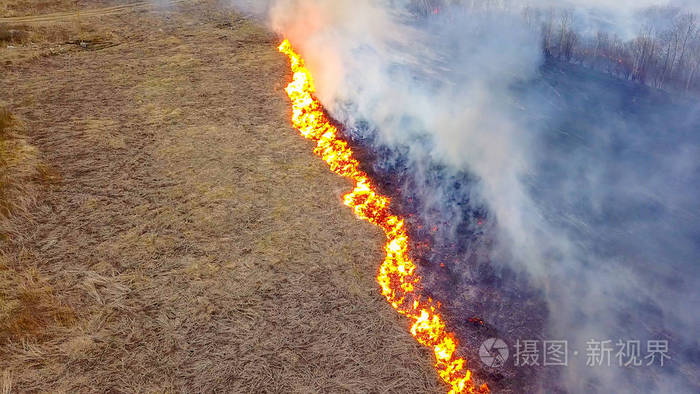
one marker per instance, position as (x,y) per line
(397,275)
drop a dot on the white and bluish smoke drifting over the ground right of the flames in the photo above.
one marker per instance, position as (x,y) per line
(589,183)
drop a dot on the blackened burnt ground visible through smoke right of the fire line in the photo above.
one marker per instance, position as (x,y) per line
(590,118)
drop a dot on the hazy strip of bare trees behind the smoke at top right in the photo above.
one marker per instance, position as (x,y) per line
(665,53)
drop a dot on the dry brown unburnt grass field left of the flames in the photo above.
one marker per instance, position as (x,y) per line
(164,229)
